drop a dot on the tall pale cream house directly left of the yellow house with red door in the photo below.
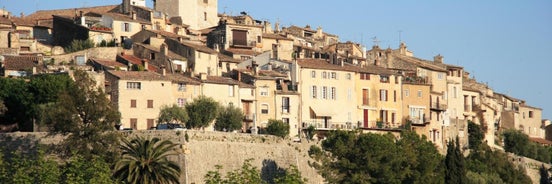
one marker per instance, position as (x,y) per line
(328,99)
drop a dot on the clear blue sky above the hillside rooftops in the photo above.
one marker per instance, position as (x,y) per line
(506,44)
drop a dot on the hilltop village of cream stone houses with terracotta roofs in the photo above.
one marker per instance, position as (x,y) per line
(146,58)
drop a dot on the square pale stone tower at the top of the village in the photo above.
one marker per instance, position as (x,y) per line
(198,14)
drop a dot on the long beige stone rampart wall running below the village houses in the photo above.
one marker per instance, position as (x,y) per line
(204,150)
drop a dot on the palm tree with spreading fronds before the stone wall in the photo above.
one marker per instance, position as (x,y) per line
(145,161)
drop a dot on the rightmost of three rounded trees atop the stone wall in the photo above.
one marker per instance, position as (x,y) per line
(229,119)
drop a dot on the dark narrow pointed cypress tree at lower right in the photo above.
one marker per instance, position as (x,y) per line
(455,171)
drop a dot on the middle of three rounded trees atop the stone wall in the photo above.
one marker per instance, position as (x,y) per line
(202,111)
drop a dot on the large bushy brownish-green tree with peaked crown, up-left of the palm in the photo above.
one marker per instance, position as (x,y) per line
(84,113)
